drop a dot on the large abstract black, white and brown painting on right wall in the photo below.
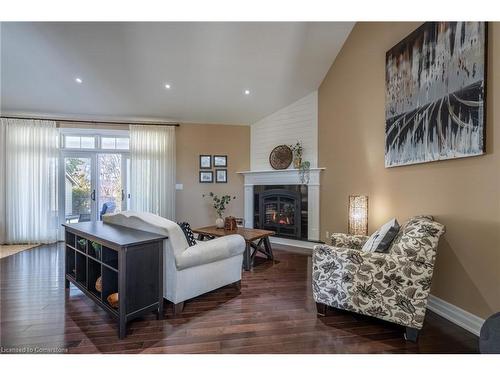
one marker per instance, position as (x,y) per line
(435,94)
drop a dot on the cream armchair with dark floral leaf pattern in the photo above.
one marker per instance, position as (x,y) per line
(392,286)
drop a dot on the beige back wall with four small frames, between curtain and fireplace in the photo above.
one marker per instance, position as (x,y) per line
(193,140)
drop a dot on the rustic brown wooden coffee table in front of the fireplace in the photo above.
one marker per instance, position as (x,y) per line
(256,239)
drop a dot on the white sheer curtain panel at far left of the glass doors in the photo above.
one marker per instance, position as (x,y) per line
(30,171)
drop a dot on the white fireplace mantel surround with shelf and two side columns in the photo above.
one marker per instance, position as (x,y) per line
(285,177)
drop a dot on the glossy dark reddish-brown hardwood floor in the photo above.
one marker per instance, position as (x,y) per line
(274,313)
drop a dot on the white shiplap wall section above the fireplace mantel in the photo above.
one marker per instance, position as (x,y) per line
(298,121)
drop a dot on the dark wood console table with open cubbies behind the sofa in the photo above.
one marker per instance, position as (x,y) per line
(129,262)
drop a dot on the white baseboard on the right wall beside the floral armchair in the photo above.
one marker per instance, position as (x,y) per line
(455,314)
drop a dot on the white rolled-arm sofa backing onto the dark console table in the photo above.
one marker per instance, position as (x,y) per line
(188,271)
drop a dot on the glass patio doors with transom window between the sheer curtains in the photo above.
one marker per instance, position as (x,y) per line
(93,174)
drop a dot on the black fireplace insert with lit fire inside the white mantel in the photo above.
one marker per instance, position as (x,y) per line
(282,209)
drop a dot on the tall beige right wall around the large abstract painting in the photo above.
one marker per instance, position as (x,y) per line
(464,194)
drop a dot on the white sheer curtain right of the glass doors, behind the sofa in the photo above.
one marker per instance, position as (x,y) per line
(152,164)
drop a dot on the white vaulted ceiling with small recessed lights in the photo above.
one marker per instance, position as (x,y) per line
(124,68)
